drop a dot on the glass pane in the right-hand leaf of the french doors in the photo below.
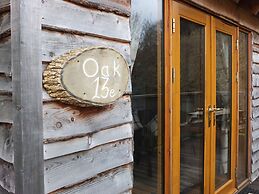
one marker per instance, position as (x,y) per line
(223,103)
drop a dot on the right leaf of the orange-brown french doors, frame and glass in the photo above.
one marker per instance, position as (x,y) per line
(224,89)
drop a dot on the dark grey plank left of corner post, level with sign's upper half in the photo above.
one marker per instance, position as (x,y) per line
(5,55)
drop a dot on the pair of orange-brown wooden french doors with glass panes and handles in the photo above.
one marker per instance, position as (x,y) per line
(204,102)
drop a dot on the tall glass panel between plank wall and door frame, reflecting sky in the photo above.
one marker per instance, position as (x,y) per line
(147,103)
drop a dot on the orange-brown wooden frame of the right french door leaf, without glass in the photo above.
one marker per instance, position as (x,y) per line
(219,25)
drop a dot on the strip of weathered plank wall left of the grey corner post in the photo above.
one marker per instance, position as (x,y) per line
(7,184)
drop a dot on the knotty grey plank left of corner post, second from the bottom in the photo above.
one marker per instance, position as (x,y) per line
(6,142)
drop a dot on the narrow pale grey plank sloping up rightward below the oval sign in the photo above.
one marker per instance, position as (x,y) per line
(61,148)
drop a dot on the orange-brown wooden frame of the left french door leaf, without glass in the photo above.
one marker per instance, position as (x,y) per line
(202,18)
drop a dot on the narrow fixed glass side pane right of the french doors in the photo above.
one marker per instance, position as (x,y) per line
(243,90)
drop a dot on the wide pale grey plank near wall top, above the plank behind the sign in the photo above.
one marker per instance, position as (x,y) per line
(62,14)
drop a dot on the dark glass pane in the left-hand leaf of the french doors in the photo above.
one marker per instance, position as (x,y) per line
(192,64)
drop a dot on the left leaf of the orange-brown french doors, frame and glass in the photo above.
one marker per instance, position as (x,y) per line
(191,98)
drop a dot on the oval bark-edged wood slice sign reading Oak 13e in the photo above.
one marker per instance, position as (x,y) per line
(90,76)
